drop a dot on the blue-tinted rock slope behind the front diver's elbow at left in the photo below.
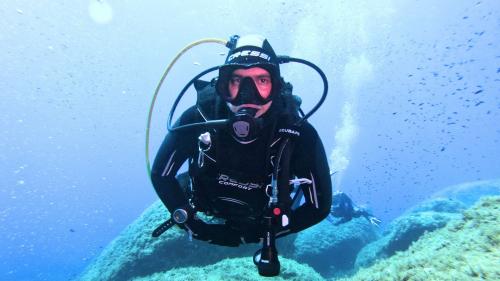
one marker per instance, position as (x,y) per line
(135,253)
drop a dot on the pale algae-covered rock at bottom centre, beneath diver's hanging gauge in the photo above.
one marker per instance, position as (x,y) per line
(235,269)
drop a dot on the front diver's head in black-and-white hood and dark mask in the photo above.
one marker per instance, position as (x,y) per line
(250,80)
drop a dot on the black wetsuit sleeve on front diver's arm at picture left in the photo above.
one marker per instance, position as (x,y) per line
(176,148)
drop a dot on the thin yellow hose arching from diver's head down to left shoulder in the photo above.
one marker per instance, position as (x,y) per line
(151,107)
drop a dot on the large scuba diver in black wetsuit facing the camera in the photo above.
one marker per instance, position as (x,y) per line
(234,169)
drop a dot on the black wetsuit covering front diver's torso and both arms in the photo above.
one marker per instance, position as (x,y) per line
(229,178)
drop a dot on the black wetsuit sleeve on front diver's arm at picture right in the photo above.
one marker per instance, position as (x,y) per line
(309,161)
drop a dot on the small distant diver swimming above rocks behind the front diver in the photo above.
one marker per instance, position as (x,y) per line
(346,210)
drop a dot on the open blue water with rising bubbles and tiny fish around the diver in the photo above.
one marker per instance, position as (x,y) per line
(413,106)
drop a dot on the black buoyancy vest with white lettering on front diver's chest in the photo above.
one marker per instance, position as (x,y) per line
(230,179)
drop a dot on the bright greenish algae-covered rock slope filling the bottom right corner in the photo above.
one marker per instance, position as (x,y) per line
(465,249)
